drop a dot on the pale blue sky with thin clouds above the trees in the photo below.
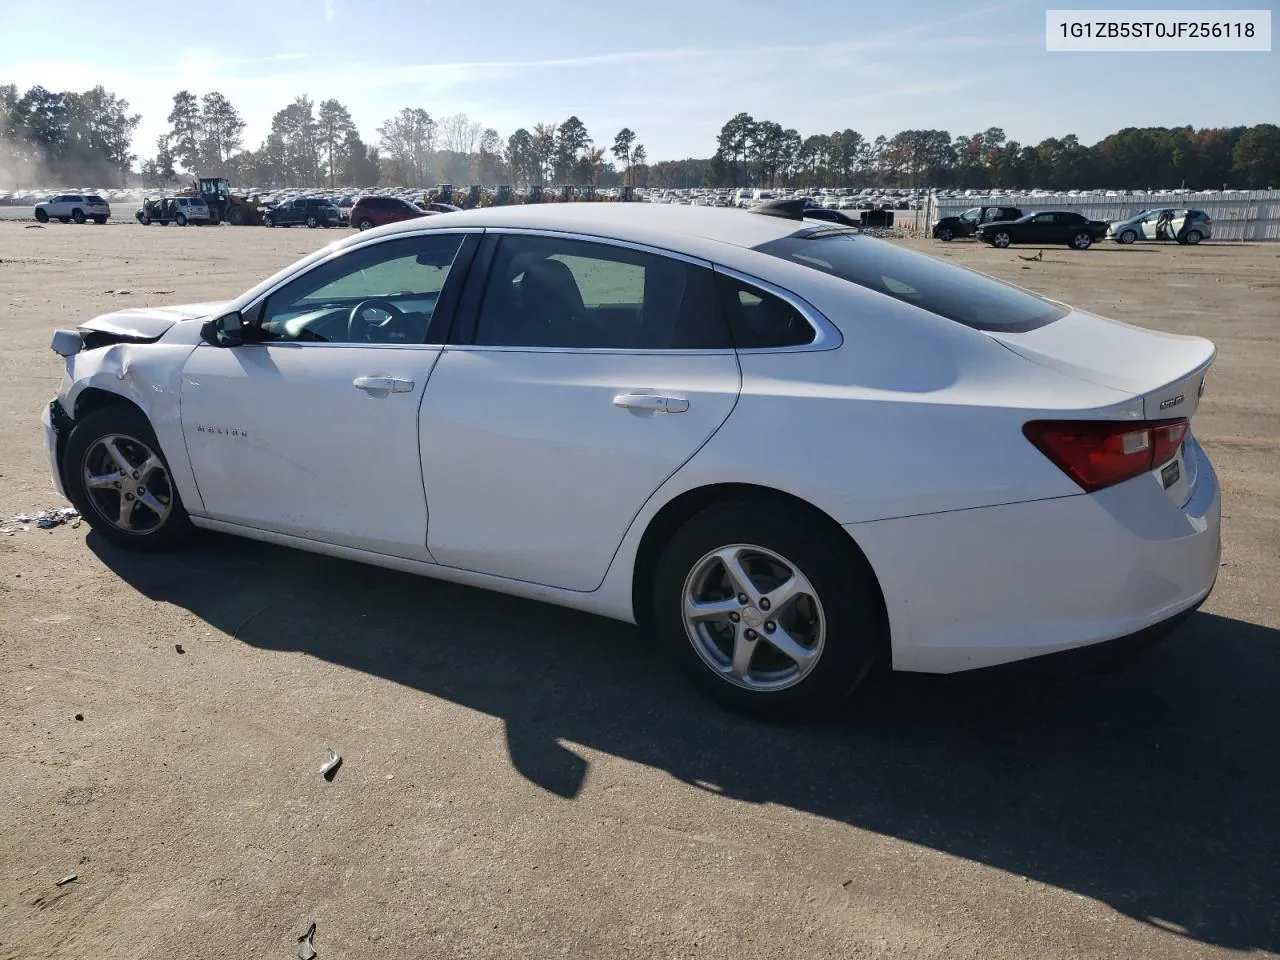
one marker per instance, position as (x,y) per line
(674,71)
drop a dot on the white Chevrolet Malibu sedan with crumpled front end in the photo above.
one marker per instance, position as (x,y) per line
(788,450)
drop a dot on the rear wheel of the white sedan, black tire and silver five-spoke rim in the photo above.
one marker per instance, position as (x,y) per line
(845,624)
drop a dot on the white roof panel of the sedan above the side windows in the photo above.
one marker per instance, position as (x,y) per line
(694,231)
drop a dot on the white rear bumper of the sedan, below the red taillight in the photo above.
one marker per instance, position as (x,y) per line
(981,588)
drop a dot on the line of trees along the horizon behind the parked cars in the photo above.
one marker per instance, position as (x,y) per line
(86,139)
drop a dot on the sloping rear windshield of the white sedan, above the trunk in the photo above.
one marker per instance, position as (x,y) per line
(964,296)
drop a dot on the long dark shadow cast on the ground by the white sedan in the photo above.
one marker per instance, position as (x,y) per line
(1151,787)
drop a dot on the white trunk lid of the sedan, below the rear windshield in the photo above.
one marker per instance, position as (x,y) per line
(1165,371)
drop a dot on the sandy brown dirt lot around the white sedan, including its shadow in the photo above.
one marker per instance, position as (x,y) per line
(523,781)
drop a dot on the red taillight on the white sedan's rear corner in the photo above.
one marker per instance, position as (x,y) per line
(1099,454)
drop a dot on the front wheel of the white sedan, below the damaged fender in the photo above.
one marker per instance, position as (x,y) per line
(157,516)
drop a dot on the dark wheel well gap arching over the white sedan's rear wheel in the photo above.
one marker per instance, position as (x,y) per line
(688,505)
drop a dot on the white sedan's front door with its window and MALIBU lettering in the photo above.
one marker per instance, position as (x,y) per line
(314,431)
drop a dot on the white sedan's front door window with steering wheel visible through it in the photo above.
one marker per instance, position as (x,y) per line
(331,303)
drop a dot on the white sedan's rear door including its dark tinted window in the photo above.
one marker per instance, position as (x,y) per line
(586,374)
